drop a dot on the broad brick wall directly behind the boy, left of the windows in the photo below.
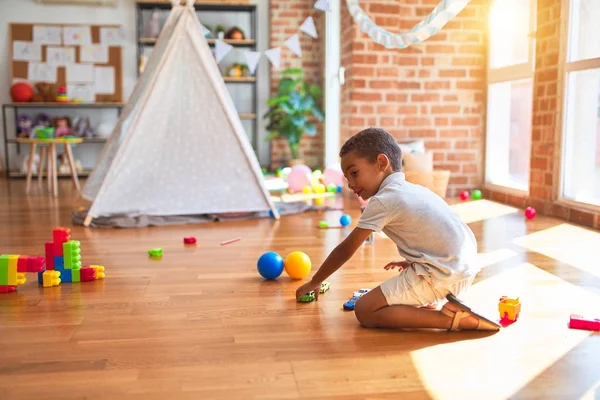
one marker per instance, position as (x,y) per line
(434,91)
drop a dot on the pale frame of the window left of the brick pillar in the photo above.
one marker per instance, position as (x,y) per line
(511,73)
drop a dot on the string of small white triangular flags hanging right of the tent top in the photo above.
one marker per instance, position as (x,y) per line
(274,54)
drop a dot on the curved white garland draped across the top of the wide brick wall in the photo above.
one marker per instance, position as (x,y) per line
(431,25)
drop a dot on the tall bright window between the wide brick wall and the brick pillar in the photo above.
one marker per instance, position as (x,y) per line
(510,93)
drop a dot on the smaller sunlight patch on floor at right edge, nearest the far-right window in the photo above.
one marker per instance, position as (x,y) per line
(570,244)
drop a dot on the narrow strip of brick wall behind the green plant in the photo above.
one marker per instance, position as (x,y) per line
(286,17)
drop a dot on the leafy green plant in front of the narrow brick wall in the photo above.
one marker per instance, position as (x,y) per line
(291,110)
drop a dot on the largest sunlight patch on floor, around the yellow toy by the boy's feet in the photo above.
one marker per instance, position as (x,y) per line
(521,351)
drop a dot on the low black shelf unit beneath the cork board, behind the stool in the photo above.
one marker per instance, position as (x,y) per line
(10,137)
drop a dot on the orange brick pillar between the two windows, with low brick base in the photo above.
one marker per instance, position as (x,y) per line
(543,180)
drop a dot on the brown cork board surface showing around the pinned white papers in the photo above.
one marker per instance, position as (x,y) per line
(19,69)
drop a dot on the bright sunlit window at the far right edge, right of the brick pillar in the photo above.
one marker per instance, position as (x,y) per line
(581,126)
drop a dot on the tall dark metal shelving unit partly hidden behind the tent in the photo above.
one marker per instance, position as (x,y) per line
(144,8)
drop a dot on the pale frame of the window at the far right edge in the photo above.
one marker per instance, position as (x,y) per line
(564,68)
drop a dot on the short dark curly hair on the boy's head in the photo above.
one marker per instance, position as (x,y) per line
(371,142)
